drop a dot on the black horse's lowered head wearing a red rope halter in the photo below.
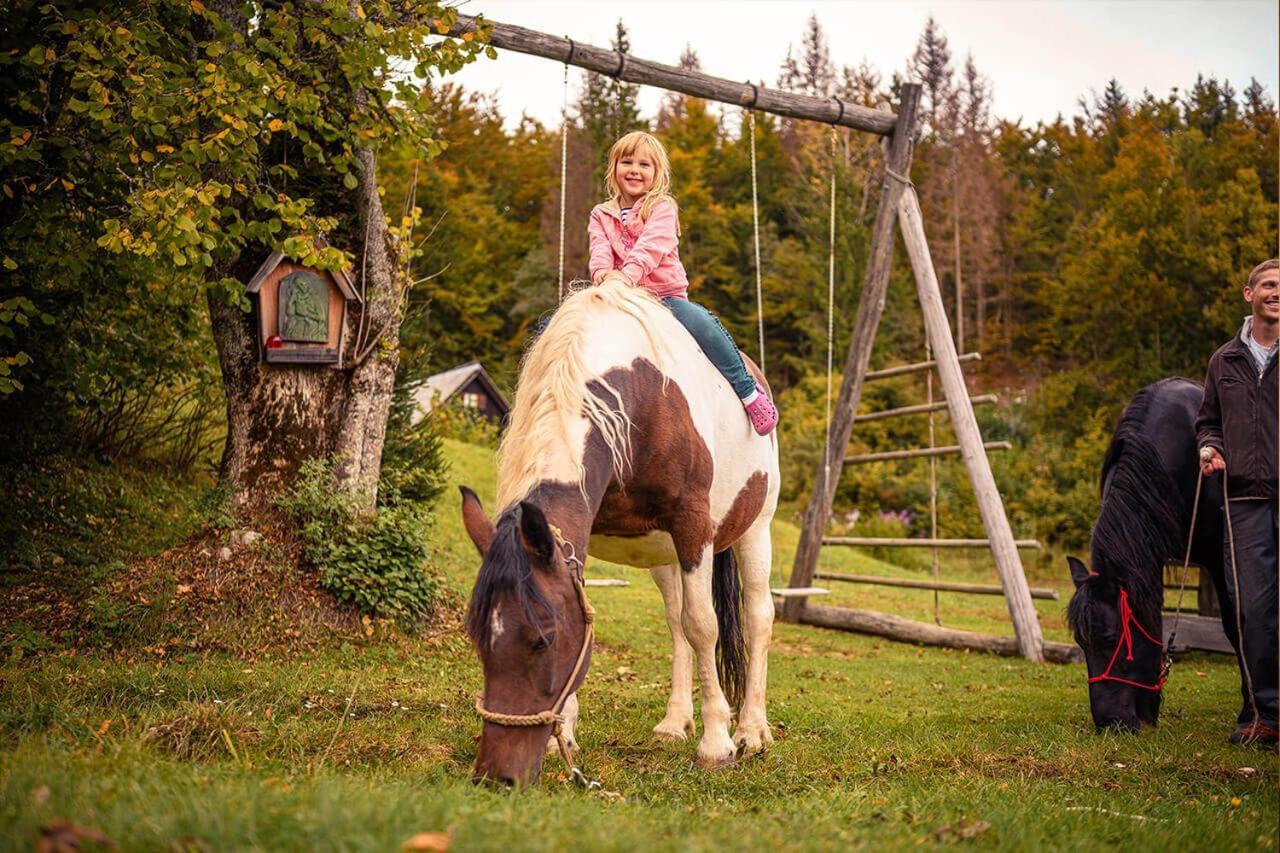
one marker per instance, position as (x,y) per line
(1123,655)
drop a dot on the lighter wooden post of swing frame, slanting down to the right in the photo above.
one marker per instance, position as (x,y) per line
(966,427)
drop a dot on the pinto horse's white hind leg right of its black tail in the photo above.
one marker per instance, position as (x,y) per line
(756,556)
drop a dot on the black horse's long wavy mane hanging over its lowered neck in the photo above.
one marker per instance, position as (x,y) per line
(1140,526)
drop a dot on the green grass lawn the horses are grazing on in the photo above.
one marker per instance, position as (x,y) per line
(364,741)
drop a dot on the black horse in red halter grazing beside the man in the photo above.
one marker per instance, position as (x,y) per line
(1149,486)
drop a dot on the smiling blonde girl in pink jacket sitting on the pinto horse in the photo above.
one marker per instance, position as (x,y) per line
(637,232)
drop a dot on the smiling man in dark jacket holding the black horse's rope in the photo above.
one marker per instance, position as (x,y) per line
(1237,431)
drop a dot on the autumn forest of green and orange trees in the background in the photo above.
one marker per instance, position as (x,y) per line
(1082,258)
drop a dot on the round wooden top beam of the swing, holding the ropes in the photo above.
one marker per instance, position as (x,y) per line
(632,70)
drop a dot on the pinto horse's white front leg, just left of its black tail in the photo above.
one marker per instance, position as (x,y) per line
(698,618)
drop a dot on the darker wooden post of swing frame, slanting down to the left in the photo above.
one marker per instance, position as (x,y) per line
(870,309)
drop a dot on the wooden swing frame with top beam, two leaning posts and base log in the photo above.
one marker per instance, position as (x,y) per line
(898,207)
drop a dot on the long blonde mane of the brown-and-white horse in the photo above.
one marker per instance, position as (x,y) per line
(554,394)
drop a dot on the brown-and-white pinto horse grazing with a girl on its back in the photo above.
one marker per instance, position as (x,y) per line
(624,443)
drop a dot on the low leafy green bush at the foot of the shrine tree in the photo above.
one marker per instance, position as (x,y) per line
(380,562)
